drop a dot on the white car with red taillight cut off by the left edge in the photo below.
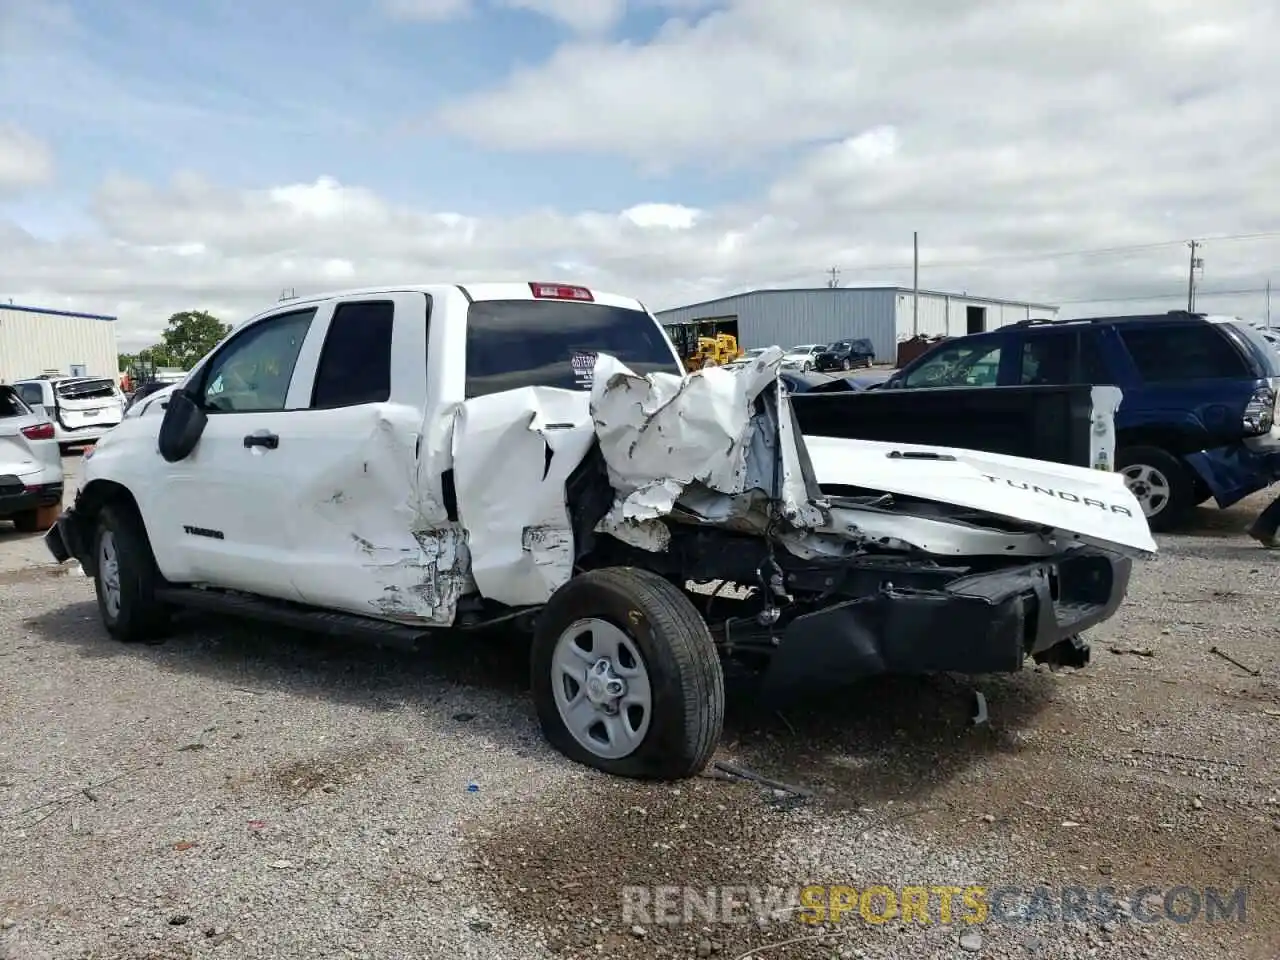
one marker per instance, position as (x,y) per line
(31,467)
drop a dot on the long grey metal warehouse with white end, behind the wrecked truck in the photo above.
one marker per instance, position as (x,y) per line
(884,316)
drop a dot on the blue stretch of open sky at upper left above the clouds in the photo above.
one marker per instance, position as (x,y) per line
(289,93)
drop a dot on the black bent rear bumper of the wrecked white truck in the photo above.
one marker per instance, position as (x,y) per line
(981,624)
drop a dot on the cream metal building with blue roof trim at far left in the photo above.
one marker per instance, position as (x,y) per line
(35,341)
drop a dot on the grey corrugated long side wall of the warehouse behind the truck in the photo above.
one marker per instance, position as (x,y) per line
(788,318)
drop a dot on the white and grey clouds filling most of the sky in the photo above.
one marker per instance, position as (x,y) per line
(1011,135)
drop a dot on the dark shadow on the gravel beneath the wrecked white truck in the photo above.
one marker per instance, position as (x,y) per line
(883,739)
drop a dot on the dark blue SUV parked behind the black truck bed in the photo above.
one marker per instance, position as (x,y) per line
(1199,418)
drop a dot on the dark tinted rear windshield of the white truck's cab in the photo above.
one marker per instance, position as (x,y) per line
(514,344)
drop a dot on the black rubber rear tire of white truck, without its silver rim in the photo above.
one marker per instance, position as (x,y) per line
(685,675)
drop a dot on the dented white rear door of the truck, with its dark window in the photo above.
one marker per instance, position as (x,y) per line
(350,451)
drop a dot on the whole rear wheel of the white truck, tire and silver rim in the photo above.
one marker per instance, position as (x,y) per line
(627,678)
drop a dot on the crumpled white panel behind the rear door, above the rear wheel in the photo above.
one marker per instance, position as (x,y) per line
(513,456)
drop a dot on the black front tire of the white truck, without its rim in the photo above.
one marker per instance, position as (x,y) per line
(140,616)
